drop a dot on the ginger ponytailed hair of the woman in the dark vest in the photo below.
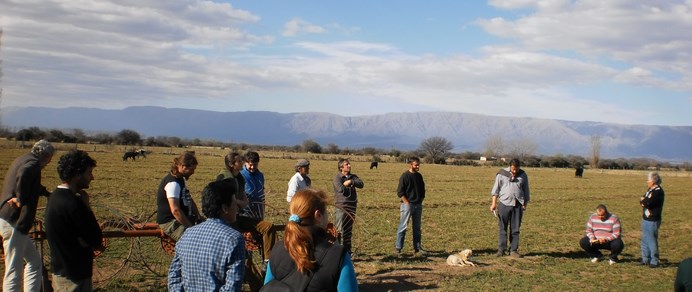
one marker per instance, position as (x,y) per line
(297,236)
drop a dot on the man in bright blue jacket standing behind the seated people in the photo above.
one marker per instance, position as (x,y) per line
(254,185)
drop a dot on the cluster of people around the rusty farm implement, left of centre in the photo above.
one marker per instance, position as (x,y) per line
(210,252)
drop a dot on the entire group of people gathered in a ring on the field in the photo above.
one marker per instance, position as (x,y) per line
(210,250)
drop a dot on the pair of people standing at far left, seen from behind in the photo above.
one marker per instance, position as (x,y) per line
(70,225)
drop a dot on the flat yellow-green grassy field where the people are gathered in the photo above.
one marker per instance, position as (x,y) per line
(456,216)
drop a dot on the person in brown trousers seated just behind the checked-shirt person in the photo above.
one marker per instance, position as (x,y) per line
(243,222)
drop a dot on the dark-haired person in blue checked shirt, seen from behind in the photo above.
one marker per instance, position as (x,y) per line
(210,256)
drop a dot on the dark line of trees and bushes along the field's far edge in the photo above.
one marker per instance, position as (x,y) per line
(436,150)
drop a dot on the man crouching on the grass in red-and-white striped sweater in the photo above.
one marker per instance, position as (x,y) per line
(602,232)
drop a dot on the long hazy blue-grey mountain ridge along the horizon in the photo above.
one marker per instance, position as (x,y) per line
(404,131)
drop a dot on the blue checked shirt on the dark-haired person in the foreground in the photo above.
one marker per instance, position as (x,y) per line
(208,257)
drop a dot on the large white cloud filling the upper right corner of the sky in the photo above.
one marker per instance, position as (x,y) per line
(653,35)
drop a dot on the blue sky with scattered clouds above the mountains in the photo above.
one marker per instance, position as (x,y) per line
(619,61)
